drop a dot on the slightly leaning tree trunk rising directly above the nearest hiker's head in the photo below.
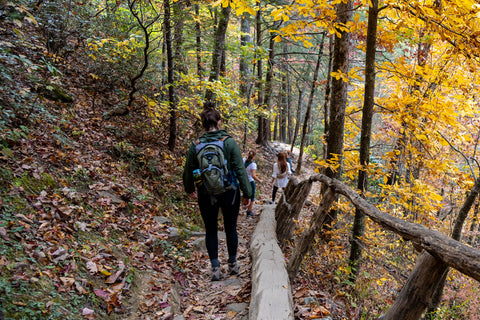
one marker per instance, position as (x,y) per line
(218,51)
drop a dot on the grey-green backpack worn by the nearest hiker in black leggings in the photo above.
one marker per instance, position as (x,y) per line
(213,166)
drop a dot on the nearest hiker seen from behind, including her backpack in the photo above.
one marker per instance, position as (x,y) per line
(209,200)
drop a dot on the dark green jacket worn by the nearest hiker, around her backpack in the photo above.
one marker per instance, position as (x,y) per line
(234,163)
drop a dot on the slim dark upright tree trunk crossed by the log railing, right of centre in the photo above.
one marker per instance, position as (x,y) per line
(365,136)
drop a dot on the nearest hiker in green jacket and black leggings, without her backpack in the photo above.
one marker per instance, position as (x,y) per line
(228,201)
